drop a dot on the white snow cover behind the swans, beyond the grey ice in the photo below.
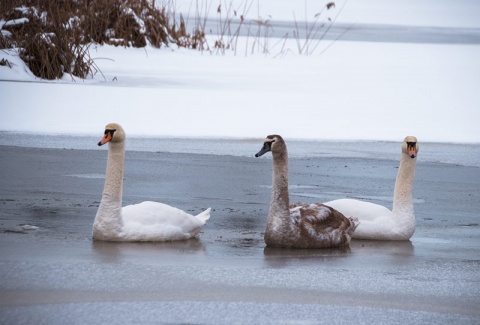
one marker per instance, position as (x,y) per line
(353,91)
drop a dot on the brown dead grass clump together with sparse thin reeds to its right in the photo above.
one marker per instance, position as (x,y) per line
(53,36)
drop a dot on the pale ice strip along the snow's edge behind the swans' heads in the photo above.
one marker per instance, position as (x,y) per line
(450,153)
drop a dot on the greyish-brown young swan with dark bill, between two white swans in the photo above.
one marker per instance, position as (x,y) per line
(300,225)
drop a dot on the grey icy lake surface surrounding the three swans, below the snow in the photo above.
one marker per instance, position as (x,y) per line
(53,273)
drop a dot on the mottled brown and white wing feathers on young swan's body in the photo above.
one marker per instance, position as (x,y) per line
(321,226)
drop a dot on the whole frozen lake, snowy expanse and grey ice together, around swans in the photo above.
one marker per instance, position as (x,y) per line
(379,81)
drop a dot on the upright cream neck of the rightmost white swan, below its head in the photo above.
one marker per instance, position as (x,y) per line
(403,193)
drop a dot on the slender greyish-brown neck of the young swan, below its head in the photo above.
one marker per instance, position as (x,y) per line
(280,201)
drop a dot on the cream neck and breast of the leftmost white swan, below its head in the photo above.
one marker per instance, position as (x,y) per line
(108,221)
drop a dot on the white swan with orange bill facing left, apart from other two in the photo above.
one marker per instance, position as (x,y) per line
(146,221)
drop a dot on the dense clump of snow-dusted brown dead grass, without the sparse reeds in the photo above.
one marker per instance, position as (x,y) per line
(53,37)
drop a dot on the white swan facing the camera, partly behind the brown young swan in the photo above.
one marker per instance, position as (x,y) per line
(376,221)
